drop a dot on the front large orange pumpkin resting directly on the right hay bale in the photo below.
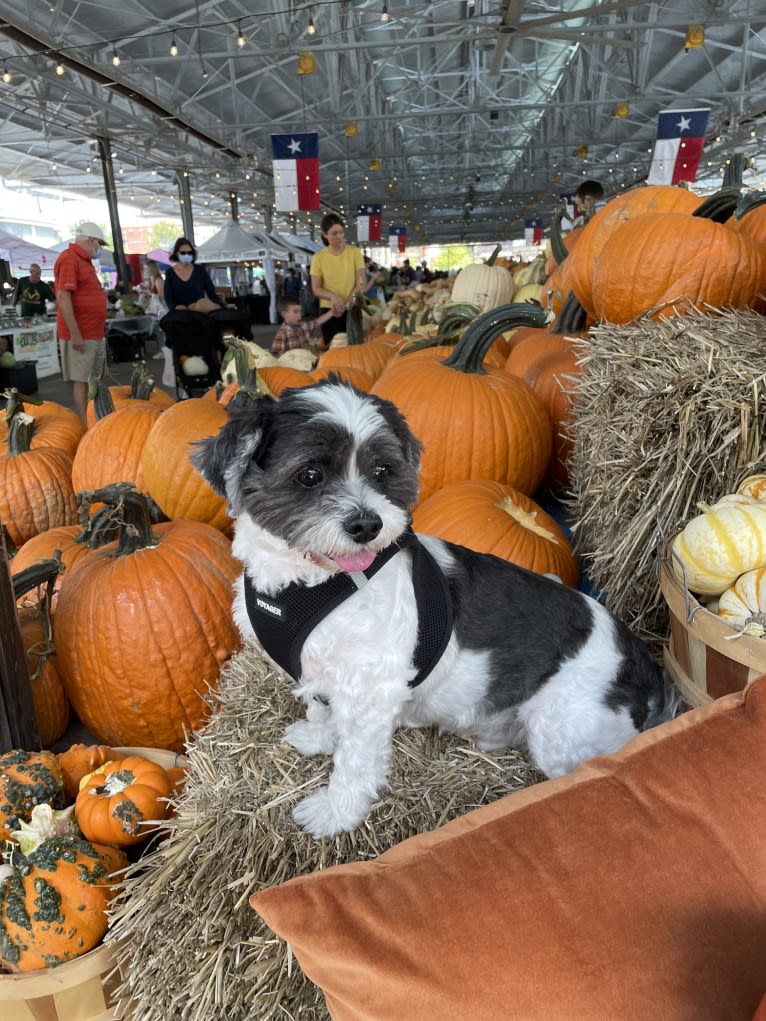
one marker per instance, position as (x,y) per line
(672,262)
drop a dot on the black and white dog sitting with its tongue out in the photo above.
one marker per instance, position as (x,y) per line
(382,629)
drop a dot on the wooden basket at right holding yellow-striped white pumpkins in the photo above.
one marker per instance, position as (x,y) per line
(705,657)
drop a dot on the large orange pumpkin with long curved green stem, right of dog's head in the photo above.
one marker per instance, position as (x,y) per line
(474,423)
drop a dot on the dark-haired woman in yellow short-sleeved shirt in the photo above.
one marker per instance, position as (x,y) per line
(338,272)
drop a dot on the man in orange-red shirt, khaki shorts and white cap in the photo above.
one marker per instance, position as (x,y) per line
(81,312)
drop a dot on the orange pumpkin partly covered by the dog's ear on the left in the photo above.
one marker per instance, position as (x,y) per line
(171,479)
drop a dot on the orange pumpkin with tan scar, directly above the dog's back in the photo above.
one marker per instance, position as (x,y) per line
(495,519)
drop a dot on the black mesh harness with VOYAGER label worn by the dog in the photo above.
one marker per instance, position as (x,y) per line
(283,622)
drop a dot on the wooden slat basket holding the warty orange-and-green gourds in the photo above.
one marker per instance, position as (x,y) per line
(80,990)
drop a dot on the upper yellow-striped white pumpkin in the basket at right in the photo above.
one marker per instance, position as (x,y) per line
(717,547)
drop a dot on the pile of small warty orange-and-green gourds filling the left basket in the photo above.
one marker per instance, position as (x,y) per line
(68,820)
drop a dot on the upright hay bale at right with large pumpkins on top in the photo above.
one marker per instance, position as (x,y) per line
(667,415)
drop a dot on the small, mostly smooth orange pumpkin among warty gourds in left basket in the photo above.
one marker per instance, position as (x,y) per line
(119,802)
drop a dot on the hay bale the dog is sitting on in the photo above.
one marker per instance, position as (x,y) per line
(188,944)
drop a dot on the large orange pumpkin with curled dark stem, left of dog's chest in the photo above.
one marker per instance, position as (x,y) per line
(145,626)
